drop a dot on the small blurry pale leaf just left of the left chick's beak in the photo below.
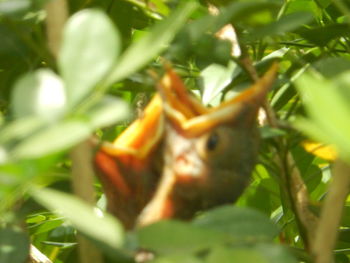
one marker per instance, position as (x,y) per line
(110,110)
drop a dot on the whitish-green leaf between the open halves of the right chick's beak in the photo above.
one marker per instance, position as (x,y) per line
(216,78)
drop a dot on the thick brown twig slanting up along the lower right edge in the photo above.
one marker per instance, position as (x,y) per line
(327,231)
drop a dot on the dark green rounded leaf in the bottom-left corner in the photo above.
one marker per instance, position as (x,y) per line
(14,246)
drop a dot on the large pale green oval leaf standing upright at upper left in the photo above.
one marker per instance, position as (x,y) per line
(90,47)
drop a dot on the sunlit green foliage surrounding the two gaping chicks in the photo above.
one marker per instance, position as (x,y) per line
(52,101)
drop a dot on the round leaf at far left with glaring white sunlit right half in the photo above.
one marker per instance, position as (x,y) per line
(39,93)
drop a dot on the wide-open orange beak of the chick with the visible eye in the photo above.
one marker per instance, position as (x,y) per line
(192,118)
